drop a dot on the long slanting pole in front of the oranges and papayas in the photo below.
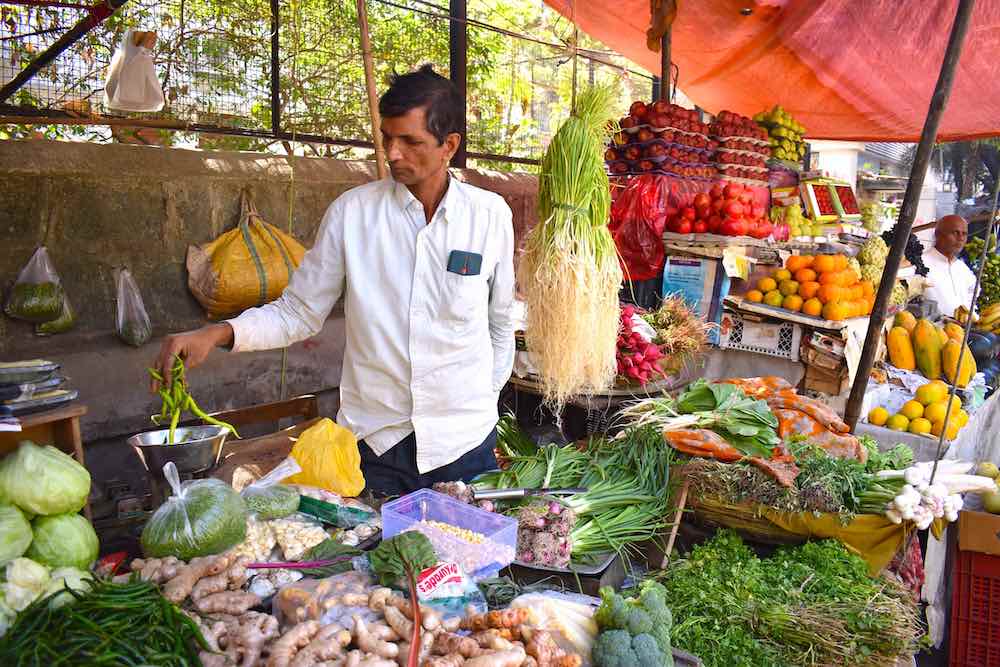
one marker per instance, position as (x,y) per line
(939,101)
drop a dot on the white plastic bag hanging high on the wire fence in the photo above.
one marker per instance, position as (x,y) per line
(132,84)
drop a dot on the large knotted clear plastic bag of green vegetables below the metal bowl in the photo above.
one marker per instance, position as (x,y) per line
(203,517)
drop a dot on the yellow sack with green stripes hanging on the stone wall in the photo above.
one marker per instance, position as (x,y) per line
(244,267)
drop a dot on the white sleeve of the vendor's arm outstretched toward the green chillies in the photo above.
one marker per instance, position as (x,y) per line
(303,307)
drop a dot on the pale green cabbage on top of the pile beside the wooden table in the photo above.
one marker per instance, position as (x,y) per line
(43,480)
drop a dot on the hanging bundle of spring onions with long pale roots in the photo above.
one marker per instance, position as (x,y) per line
(570,272)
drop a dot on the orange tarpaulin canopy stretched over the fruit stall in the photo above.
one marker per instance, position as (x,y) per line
(861,70)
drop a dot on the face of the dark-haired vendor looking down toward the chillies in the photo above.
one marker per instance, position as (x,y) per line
(414,153)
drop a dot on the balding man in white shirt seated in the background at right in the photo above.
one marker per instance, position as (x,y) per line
(950,280)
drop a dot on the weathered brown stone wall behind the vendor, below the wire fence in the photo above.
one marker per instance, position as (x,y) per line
(99,207)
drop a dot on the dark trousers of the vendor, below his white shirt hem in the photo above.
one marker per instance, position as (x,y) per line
(395,472)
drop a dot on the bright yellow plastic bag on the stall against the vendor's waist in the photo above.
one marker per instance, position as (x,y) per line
(329,457)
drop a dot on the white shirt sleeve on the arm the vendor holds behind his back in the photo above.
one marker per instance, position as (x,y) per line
(502,299)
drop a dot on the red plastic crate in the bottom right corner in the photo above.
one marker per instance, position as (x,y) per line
(975,611)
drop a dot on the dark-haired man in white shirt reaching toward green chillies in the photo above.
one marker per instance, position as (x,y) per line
(425,265)
